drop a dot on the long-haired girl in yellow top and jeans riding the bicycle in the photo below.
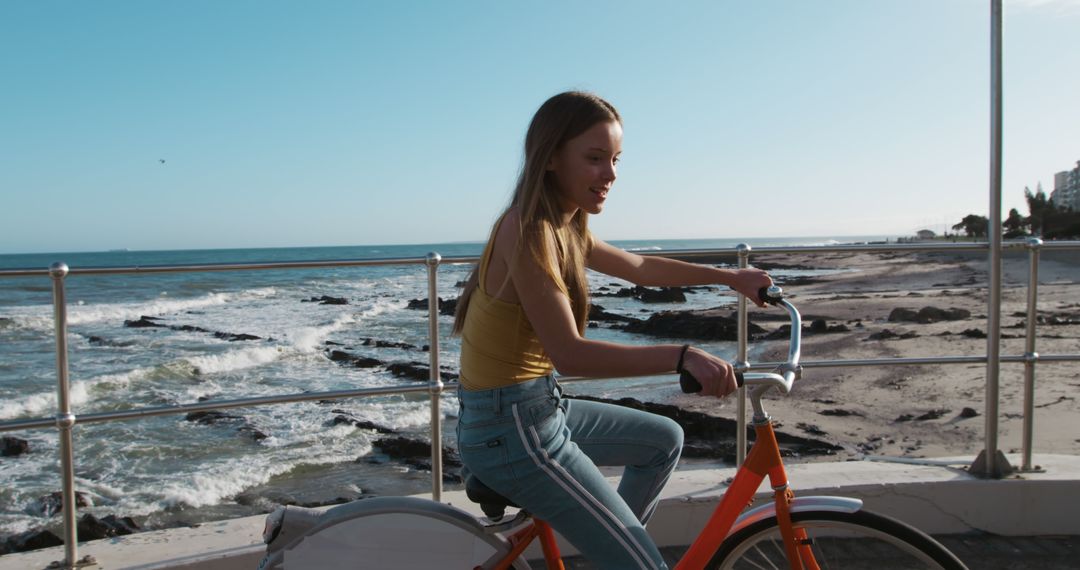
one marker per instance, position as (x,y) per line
(523,316)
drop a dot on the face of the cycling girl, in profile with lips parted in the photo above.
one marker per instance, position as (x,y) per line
(585,168)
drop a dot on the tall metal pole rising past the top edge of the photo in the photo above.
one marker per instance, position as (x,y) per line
(992,463)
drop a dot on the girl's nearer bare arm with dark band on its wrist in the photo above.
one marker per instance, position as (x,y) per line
(549,311)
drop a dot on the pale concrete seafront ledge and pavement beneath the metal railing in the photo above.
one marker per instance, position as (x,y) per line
(1029,521)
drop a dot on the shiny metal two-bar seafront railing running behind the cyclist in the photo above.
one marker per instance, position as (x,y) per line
(65,420)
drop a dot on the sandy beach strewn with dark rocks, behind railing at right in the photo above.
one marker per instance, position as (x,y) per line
(920,411)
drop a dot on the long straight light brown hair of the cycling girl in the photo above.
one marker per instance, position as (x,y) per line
(536,197)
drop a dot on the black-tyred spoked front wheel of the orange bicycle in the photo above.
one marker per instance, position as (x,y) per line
(859,540)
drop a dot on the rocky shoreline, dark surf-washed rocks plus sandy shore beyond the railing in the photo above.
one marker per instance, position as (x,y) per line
(881,306)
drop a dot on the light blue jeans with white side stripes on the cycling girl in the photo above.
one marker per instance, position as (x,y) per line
(542,451)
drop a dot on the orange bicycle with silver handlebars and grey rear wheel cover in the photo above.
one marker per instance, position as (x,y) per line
(790,532)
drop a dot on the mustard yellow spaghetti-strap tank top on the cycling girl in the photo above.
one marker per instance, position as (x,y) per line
(498,345)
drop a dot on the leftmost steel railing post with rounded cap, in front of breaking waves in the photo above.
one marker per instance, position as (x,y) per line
(65,420)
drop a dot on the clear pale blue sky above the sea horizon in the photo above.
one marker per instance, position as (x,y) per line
(340,124)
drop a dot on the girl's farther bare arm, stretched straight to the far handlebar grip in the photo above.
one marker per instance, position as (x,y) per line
(663,272)
